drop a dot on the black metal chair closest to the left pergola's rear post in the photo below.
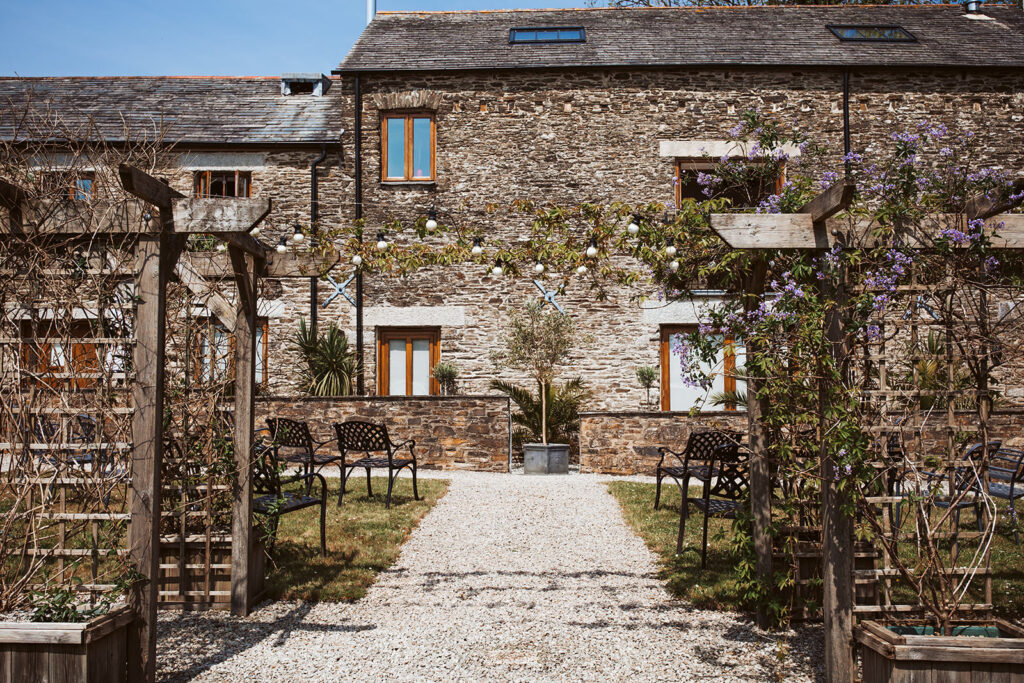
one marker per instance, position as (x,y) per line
(272,500)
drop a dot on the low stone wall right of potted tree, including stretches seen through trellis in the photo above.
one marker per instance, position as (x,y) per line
(627,443)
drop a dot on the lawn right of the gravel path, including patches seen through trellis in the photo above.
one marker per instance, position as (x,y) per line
(715,587)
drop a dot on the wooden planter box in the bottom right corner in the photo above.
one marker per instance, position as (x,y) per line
(891,657)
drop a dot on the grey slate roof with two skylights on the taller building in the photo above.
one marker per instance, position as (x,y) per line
(688,36)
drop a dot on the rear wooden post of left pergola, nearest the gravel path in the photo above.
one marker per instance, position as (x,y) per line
(245,368)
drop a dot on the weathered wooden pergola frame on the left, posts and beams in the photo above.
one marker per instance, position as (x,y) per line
(161,240)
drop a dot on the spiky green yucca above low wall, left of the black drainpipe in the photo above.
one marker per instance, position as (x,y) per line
(331,364)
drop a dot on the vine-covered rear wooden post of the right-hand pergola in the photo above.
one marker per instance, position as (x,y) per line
(760,475)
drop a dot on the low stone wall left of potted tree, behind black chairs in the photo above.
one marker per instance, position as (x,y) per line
(451,433)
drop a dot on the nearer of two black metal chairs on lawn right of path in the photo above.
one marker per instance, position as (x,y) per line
(726,489)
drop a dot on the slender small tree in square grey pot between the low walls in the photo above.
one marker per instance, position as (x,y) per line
(538,343)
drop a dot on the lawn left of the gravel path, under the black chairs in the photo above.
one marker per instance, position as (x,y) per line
(363,540)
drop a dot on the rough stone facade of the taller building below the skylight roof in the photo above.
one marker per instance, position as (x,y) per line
(596,136)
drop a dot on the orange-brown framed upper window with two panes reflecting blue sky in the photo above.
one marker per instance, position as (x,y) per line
(409,143)
